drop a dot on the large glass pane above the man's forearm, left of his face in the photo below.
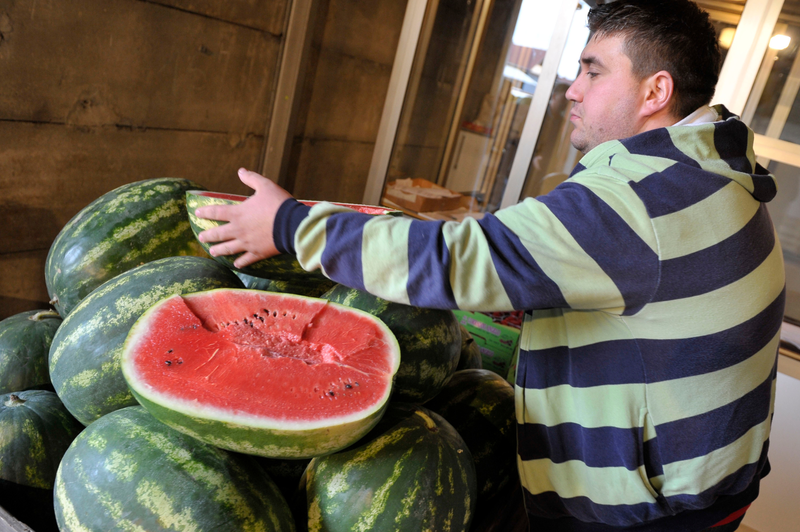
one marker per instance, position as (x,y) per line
(471,87)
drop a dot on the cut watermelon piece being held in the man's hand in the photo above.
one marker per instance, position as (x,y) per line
(278,268)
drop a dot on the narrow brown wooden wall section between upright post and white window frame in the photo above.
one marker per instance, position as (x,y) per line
(352,58)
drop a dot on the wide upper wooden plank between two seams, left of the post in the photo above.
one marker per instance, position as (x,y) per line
(138,64)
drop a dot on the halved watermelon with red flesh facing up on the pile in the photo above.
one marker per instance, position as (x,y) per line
(275,375)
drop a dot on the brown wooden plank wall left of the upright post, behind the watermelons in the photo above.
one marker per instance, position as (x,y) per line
(98,93)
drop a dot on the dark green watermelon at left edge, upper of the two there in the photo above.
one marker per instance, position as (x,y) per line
(25,340)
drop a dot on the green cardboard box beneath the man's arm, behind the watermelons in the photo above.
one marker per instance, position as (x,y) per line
(497,342)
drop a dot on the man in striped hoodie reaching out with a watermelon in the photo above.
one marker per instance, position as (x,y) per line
(652,281)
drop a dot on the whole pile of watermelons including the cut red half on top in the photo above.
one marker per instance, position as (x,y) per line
(170,391)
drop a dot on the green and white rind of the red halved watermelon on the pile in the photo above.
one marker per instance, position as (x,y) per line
(271,437)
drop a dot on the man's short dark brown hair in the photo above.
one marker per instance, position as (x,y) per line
(671,35)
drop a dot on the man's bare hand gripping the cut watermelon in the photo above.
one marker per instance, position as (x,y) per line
(249,227)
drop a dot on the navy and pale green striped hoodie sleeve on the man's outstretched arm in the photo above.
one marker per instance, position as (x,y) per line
(577,248)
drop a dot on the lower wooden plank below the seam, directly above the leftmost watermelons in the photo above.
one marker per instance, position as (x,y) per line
(49,172)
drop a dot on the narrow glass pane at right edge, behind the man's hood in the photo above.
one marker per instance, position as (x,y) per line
(785,212)
